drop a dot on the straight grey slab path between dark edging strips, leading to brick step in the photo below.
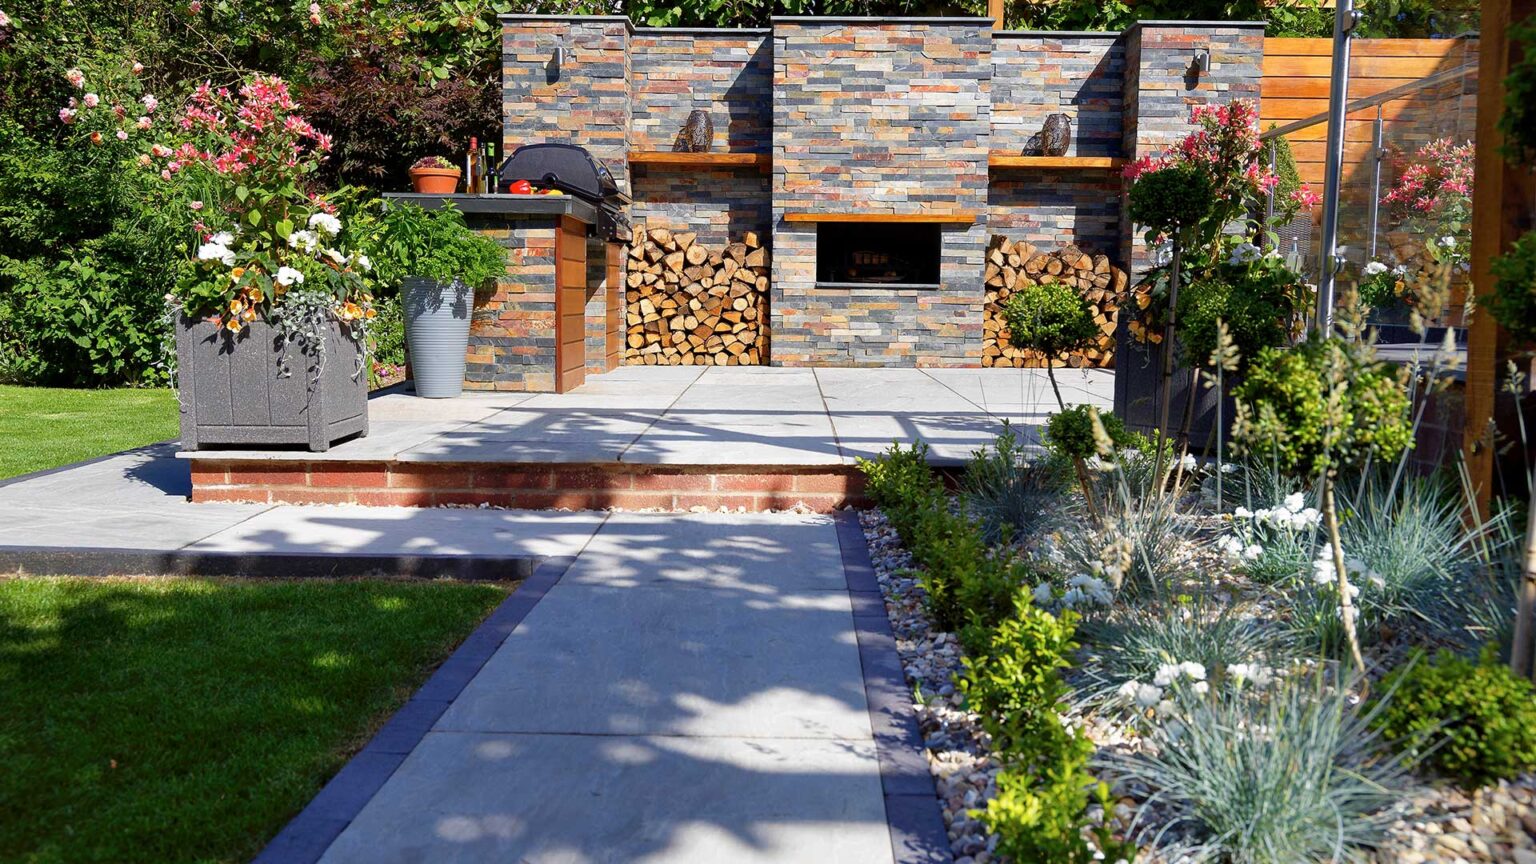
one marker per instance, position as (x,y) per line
(690,691)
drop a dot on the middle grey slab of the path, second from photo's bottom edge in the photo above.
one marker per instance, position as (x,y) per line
(674,660)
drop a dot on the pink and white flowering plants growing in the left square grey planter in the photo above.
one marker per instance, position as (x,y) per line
(268,245)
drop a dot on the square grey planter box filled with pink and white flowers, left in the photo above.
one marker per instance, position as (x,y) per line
(273,316)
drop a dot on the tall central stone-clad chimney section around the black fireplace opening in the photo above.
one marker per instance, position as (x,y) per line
(882,119)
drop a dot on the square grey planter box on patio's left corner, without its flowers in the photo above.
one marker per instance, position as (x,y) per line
(234,390)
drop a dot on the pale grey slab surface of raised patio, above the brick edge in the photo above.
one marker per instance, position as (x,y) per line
(720,416)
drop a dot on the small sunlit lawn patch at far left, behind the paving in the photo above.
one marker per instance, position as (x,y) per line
(48,427)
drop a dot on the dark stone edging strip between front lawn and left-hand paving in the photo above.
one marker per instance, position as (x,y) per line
(73,562)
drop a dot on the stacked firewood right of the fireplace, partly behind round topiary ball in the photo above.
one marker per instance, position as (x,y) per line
(1013,265)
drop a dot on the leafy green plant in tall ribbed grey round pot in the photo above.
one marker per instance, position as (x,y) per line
(437,261)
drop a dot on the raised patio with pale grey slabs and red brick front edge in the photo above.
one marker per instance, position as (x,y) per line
(654,437)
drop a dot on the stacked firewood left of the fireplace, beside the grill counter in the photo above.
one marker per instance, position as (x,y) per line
(689,305)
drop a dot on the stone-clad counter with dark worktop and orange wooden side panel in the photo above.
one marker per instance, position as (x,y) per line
(555,316)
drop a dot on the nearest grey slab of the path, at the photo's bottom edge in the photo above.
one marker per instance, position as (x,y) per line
(482,799)
